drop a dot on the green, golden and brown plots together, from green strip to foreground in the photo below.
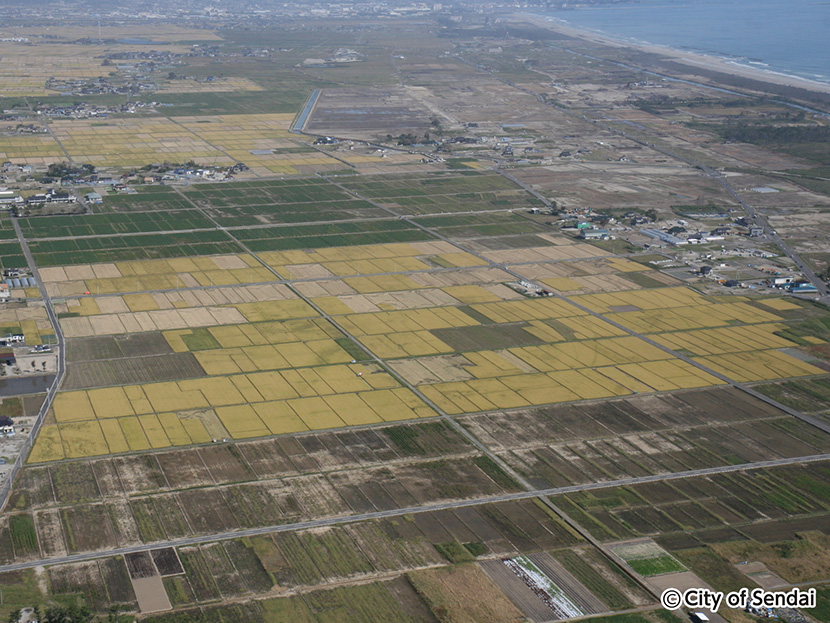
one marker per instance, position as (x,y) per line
(308,351)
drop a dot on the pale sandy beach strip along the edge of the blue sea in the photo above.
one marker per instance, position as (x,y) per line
(693,59)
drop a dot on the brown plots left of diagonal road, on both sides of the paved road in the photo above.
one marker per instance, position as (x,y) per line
(144,501)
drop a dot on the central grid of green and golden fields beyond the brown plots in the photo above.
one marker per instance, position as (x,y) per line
(235,355)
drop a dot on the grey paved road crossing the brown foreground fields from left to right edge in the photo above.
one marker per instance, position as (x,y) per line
(399,512)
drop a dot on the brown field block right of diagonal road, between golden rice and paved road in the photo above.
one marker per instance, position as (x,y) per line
(639,436)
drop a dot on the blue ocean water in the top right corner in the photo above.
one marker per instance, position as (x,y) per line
(786,36)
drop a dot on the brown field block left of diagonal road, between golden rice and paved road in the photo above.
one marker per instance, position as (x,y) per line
(224,487)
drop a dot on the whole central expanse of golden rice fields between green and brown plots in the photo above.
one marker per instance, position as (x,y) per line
(274,365)
